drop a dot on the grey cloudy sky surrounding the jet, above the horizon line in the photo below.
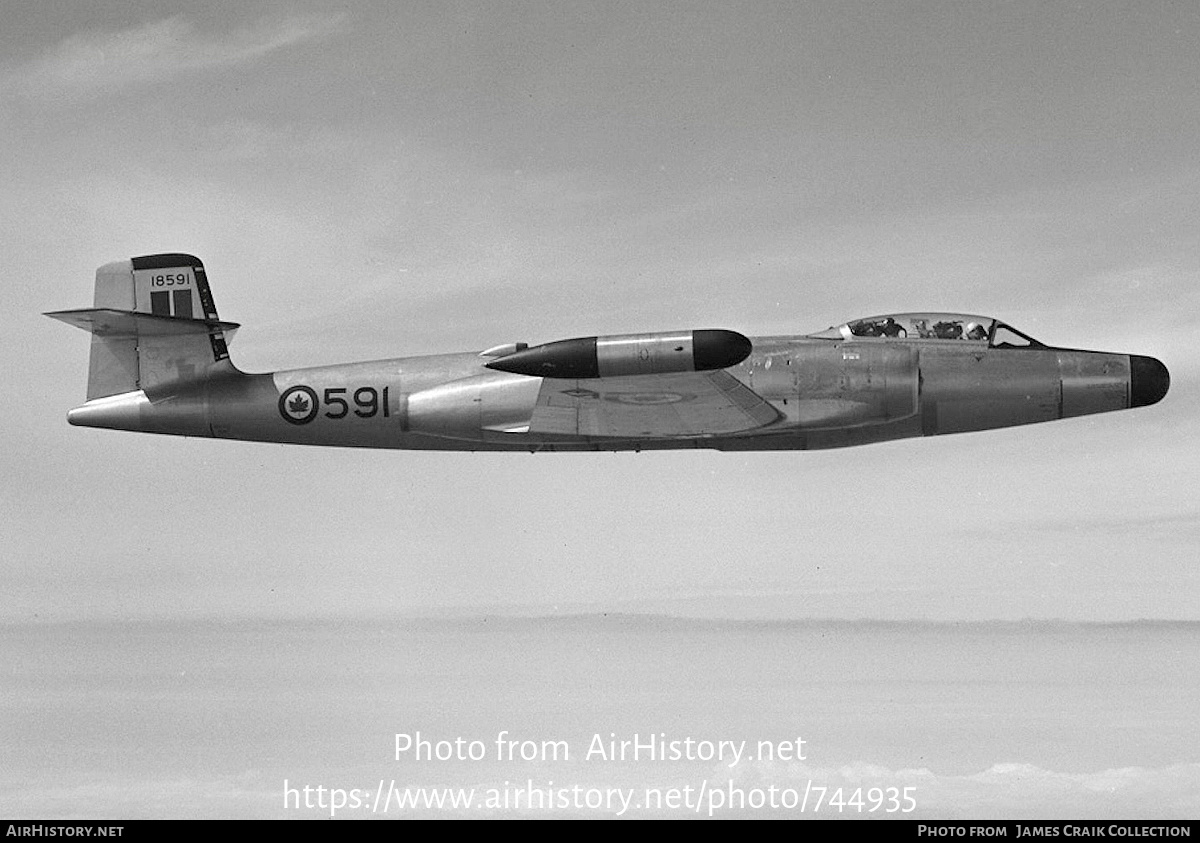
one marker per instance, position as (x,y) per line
(370,181)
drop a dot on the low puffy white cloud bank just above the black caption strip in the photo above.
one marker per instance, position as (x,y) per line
(1006,791)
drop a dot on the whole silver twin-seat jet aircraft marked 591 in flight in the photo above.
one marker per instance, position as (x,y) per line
(160,364)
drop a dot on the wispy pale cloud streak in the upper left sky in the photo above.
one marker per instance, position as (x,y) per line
(104,63)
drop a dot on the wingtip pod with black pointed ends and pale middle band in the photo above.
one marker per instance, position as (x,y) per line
(629,355)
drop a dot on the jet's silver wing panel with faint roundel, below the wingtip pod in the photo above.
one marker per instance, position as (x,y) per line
(650,406)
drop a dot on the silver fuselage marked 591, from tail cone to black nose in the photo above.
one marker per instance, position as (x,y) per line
(830,392)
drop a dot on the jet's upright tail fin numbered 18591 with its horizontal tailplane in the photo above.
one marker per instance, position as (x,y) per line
(154,327)
